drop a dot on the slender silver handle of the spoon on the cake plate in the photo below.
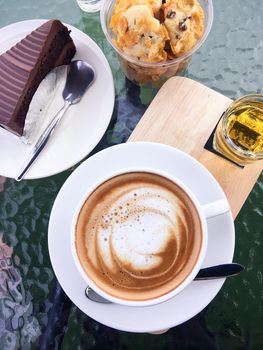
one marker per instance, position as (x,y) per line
(42,141)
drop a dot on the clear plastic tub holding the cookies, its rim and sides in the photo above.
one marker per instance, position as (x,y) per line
(153,73)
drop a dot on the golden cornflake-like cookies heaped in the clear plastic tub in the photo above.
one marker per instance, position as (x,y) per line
(153,31)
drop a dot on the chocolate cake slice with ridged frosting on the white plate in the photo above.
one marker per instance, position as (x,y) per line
(24,66)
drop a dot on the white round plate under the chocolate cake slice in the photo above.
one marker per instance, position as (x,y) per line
(84,123)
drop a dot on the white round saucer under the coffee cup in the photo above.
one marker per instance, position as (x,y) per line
(220,243)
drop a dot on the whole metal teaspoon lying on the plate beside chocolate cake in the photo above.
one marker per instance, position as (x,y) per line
(79,78)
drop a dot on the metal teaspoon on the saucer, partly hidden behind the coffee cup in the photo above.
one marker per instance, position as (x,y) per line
(213,272)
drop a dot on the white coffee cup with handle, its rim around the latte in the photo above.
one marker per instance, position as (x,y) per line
(204,211)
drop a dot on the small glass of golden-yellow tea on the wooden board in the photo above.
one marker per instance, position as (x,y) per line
(239,134)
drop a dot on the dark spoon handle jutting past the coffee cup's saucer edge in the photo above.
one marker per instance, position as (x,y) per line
(219,271)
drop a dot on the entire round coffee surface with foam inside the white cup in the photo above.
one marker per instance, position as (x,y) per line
(138,236)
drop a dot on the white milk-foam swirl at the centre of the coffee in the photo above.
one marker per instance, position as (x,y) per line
(134,234)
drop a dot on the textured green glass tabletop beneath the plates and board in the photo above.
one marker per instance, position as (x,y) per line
(34,311)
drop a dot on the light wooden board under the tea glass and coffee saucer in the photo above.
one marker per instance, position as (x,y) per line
(183,114)
